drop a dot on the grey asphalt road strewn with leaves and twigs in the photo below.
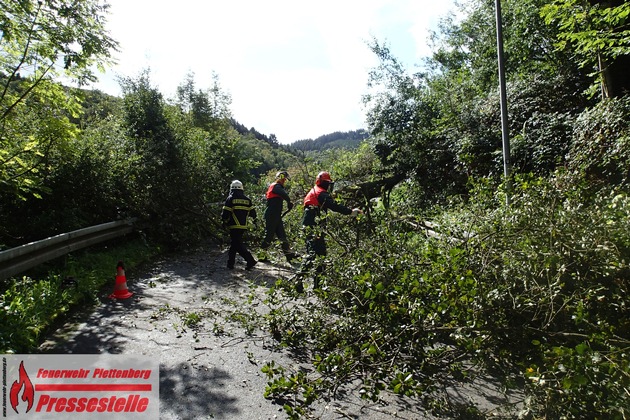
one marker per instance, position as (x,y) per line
(194,314)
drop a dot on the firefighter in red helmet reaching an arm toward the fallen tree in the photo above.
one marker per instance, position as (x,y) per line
(316,204)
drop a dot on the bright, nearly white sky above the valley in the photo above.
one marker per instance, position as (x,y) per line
(295,69)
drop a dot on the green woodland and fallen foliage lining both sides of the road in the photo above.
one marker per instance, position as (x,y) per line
(525,279)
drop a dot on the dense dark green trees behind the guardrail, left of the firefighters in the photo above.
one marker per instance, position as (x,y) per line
(136,156)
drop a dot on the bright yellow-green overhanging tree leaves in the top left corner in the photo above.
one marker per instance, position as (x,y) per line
(41,41)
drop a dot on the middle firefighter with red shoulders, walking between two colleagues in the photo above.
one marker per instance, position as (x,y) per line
(274,227)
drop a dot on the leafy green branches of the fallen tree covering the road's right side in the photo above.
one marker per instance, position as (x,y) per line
(533,293)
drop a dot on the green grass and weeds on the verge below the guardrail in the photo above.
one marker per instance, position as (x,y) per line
(32,305)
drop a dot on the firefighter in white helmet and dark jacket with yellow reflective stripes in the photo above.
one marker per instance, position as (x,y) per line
(236,209)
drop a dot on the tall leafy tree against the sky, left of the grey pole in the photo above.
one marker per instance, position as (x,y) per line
(404,121)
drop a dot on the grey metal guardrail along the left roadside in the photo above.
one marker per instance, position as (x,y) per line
(19,259)
